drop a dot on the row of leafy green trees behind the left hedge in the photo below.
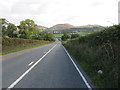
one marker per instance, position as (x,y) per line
(26,30)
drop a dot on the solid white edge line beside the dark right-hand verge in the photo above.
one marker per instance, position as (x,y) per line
(87,84)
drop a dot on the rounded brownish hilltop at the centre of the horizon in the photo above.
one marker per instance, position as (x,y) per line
(61,27)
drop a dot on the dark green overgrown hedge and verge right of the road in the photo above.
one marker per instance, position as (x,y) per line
(99,51)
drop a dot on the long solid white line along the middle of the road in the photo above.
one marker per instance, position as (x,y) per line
(23,75)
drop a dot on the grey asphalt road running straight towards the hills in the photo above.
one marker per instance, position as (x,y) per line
(45,67)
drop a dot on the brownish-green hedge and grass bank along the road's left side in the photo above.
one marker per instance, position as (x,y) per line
(10,45)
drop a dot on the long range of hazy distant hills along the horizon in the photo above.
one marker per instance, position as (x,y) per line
(67,28)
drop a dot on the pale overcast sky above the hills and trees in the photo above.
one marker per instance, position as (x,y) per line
(51,12)
